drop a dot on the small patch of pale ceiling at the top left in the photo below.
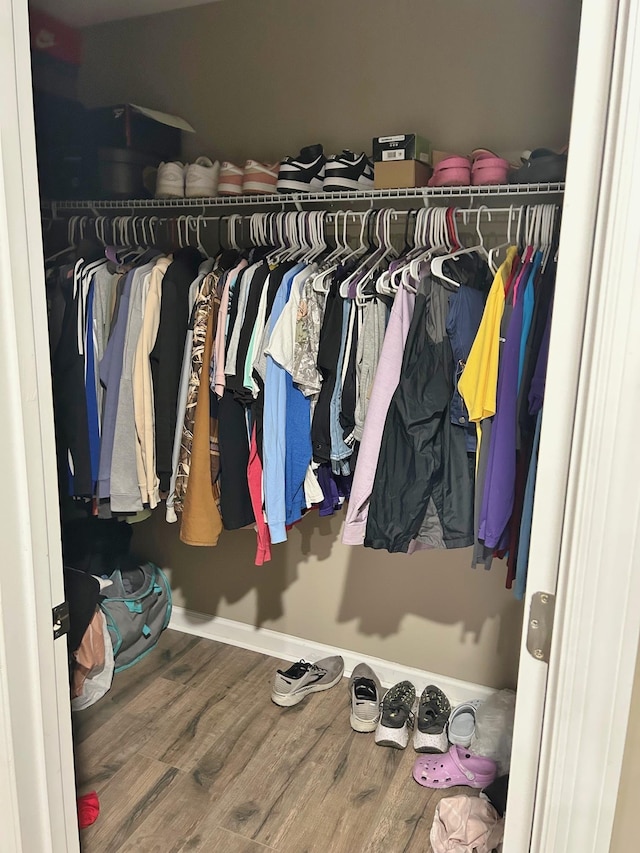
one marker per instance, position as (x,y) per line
(80,13)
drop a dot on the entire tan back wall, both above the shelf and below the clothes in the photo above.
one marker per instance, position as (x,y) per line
(261,78)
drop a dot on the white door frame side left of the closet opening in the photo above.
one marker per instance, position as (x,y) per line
(36,720)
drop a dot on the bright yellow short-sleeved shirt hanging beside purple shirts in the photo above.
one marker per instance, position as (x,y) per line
(479,381)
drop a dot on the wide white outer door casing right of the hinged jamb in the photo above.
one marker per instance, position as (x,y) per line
(596,634)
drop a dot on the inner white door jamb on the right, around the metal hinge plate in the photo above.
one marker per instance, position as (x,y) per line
(588,129)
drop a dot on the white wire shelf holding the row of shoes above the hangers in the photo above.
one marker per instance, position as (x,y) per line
(297,199)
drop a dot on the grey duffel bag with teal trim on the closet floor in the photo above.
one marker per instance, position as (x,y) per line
(137,607)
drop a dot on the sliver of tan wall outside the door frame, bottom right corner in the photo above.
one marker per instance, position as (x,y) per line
(625,829)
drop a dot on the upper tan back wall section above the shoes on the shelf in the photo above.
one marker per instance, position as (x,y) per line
(261,78)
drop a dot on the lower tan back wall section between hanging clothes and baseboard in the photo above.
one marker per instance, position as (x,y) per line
(429,610)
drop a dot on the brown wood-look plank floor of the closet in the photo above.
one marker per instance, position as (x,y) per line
(188,753)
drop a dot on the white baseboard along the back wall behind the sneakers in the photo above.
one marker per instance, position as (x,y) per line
(286,647)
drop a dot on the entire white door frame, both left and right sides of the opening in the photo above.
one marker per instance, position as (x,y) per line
(587,705)
